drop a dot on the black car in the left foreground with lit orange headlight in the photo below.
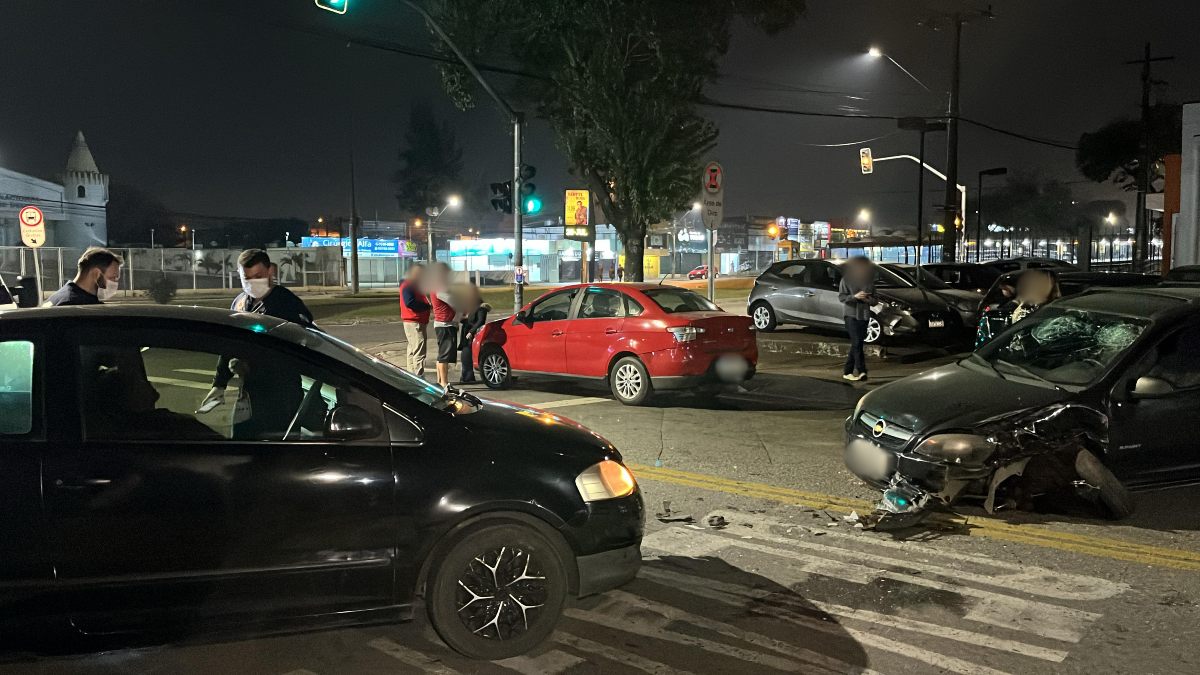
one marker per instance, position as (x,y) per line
(340,494)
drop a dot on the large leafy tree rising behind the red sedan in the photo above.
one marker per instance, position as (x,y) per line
(620,82)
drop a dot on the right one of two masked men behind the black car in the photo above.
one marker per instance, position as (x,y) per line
(267,395)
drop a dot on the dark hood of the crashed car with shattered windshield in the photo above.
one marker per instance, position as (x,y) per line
(955,397)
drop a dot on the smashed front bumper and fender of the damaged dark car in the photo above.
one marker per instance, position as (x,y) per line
(919,474)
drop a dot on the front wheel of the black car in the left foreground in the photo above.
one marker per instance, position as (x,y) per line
(493,560)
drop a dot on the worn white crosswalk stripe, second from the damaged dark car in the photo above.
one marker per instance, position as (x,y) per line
(1031,617)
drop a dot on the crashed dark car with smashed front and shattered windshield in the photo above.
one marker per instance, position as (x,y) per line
(1089,398)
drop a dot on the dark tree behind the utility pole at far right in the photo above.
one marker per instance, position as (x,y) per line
(1113,152)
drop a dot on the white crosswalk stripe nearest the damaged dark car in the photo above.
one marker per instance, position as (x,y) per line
(1034,581)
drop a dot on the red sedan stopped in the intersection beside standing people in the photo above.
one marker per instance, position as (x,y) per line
(639,338)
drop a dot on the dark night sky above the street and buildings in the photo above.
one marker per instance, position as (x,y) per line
(239,109)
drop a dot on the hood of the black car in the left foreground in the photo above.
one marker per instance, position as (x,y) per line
(532,431)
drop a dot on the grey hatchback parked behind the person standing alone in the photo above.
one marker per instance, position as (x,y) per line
(806,292)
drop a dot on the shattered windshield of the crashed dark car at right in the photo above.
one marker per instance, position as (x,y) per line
(1063,345)
